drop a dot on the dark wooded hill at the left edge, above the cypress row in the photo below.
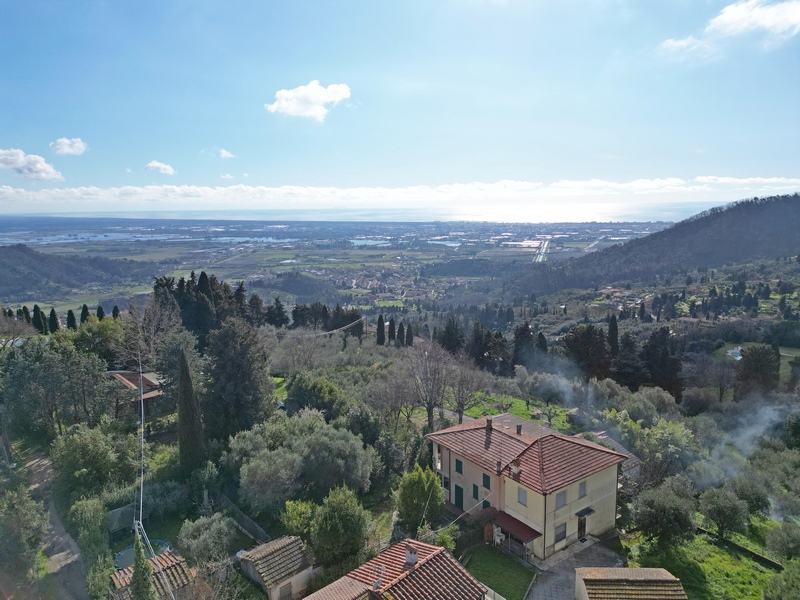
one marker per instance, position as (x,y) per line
(27,274)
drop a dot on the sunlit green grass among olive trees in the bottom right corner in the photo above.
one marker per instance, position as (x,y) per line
(707,571)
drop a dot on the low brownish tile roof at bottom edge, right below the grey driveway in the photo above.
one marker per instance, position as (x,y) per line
(630,584)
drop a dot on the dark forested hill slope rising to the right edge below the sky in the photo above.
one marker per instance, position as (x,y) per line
(757,228)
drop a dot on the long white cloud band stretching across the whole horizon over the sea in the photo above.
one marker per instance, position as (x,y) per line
(666,198)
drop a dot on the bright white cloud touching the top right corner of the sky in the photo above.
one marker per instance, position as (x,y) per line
(778,19)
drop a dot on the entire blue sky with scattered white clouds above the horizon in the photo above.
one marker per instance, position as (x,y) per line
(490,110)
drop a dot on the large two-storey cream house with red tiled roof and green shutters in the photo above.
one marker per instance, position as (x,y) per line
(547,490)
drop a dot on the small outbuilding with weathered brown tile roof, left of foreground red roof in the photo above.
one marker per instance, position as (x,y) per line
(281,567)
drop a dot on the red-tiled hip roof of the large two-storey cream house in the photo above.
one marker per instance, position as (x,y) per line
(544,460)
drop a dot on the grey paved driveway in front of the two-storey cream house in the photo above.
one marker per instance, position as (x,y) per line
(558,582)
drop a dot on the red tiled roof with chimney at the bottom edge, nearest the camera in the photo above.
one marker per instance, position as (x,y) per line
(409,570)
